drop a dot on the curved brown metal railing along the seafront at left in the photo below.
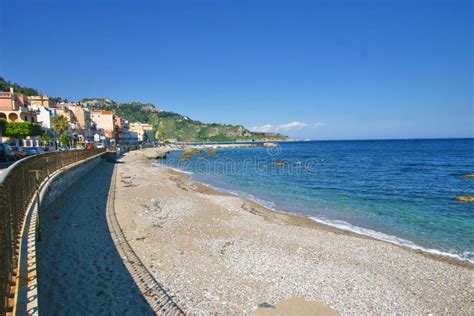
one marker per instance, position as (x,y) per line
(18,185)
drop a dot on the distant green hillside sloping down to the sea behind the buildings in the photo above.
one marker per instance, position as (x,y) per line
(176,126)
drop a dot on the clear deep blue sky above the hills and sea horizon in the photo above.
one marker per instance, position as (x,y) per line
(336,69)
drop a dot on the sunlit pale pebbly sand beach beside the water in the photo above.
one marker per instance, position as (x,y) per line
(218,253)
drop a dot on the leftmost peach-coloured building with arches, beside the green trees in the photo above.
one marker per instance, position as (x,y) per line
(14,107)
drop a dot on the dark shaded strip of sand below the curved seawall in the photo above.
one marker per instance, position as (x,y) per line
(79,268)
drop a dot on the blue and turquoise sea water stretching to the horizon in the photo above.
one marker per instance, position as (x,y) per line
(402,191)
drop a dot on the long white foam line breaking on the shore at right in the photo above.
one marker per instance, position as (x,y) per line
(466,256)
